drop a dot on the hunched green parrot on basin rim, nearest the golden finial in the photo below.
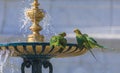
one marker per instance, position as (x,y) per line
(59,41)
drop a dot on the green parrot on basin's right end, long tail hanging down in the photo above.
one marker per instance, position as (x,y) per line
(84,41)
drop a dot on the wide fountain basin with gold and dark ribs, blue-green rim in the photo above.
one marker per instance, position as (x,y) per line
(42,50)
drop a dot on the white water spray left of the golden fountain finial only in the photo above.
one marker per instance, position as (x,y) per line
(24,20)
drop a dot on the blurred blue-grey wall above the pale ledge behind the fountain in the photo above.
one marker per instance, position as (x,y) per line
(91,16)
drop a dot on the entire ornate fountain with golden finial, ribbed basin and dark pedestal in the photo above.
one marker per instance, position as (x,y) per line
(36,53)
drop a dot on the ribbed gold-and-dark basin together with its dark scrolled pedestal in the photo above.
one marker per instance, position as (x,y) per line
(37,54)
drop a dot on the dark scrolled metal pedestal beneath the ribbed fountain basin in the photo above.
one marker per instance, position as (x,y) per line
(36,64)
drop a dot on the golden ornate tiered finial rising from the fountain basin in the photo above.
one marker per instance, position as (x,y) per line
(35,15)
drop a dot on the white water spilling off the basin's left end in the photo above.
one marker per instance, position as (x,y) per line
(4,54)
